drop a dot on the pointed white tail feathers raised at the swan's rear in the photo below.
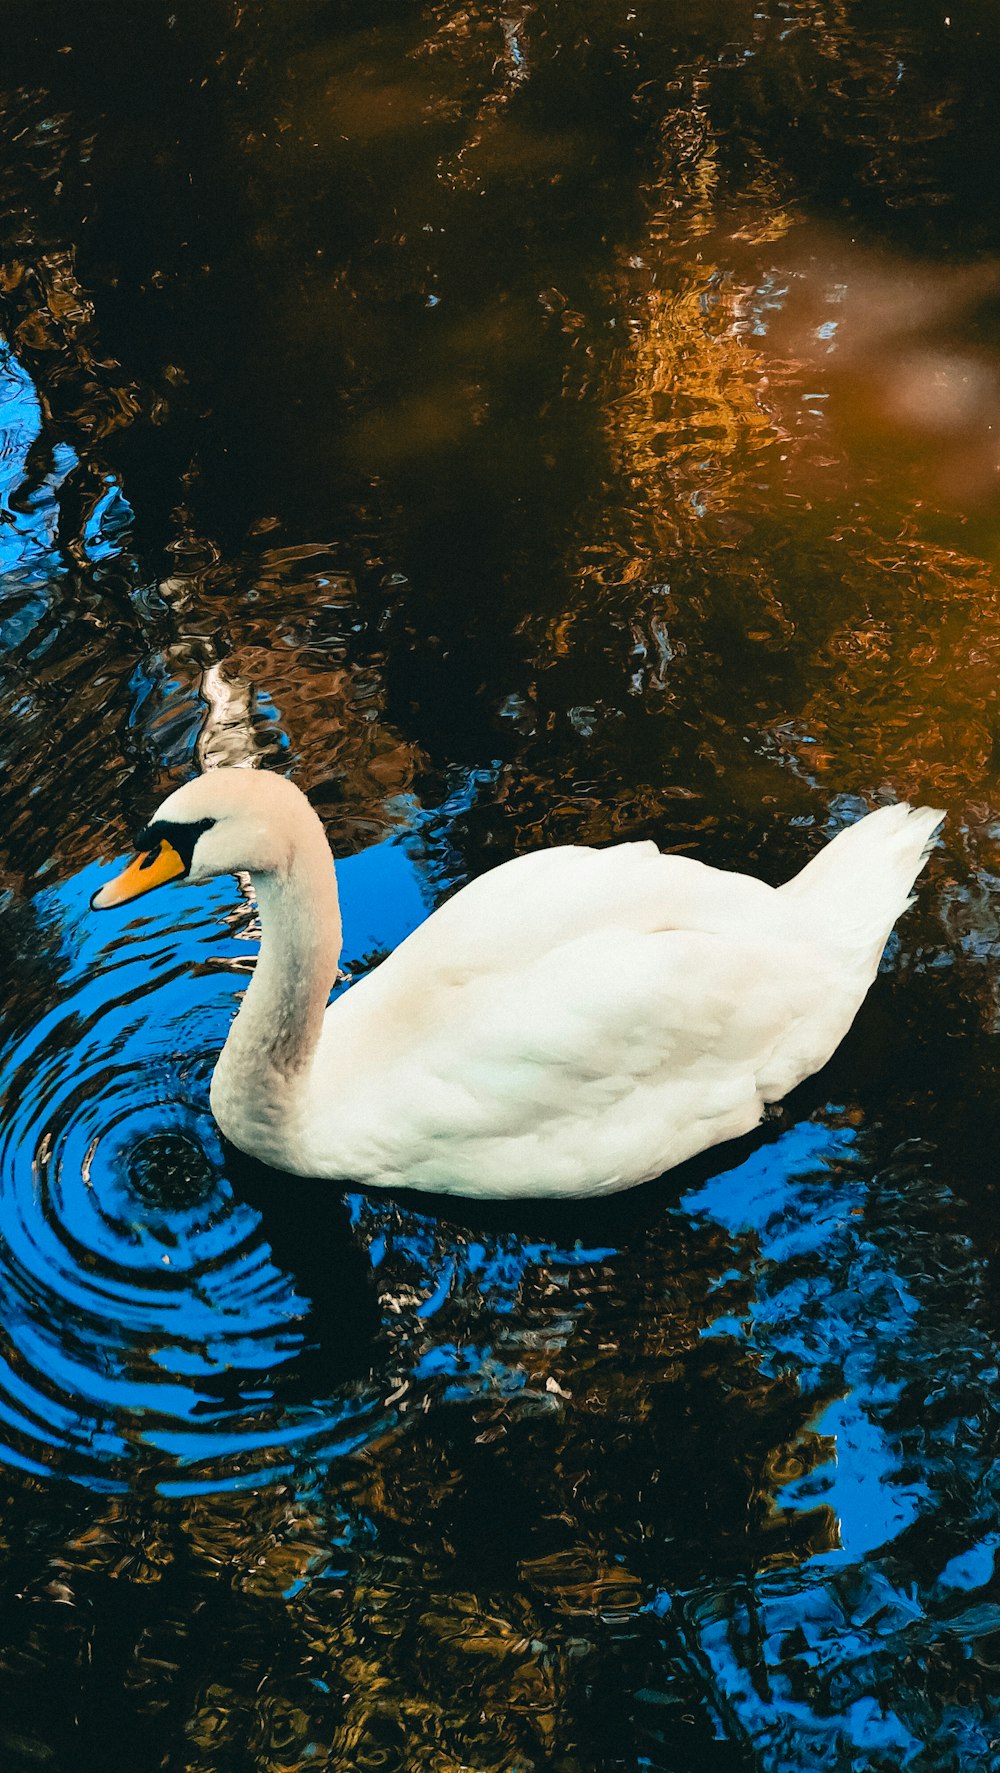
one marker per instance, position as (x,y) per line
(863,882)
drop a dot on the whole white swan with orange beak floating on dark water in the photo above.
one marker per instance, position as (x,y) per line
(570,1024)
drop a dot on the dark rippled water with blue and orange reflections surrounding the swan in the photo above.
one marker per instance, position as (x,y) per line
(520,423)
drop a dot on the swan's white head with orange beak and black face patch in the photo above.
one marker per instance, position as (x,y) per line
(221,824)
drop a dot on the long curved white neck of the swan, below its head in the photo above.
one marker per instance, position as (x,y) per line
(267,1059)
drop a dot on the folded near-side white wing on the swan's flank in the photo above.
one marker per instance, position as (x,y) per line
(609,1015)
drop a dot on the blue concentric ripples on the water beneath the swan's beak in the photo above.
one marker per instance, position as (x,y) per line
(146,1331)
